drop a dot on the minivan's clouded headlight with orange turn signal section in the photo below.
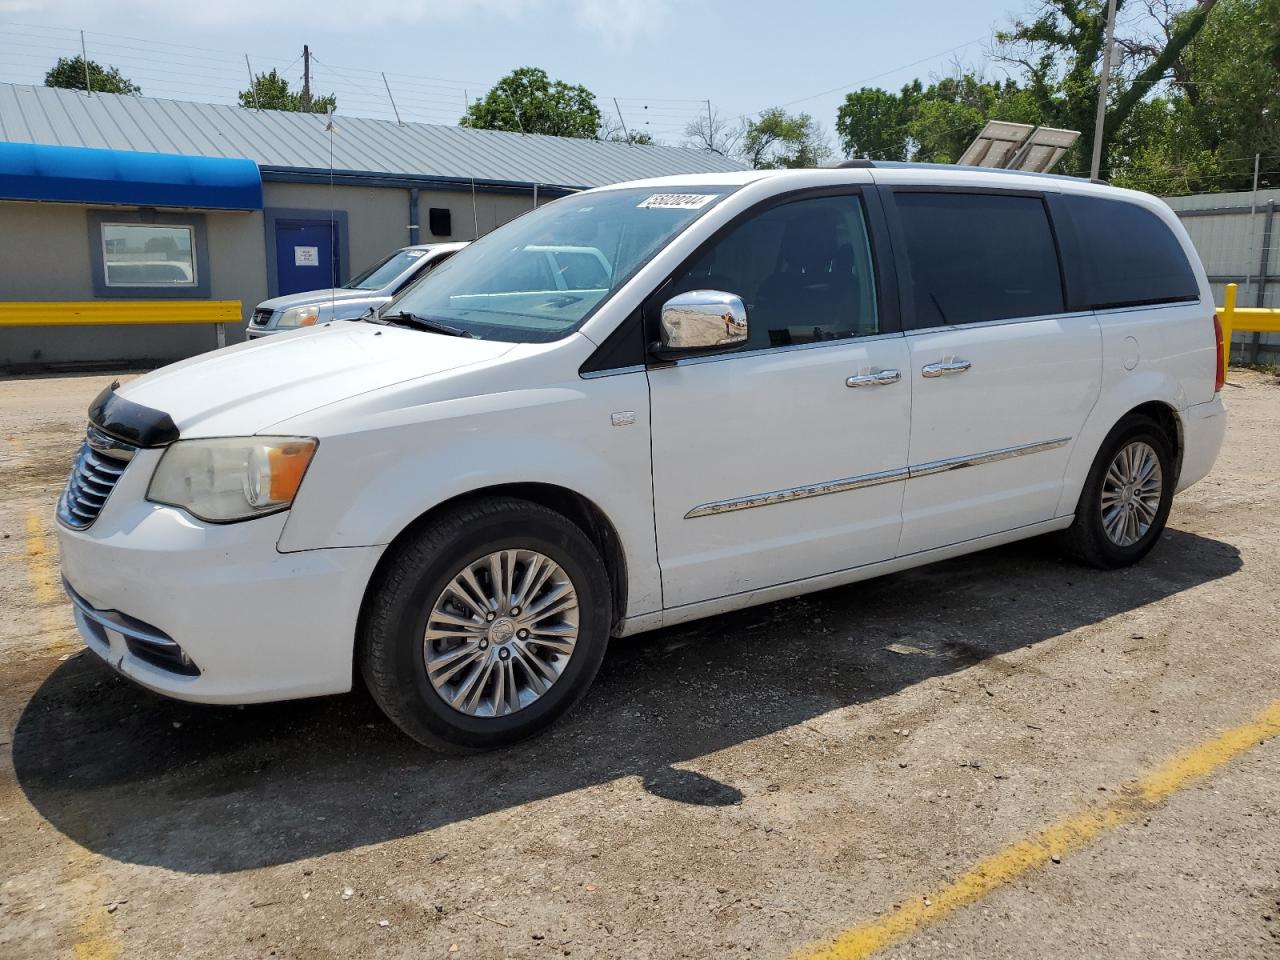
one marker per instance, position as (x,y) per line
(232,478)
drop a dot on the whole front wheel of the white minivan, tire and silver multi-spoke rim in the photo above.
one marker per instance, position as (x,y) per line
(487,627)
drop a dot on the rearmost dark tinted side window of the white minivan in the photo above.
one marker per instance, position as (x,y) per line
(1127,255)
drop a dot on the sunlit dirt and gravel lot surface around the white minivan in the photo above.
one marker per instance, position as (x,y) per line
(755,784)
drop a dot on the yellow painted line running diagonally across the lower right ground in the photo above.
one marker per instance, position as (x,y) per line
(1025,856)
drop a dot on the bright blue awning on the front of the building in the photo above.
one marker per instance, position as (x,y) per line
(126,177)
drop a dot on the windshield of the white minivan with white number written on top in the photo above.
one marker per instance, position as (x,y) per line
(540,277)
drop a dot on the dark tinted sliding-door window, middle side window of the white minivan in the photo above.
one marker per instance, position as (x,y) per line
(980,257)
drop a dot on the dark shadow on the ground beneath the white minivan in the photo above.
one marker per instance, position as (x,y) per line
(207,789)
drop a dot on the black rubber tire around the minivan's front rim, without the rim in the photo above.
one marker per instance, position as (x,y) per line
(391,651)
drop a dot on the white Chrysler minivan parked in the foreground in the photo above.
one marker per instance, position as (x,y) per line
(780,382)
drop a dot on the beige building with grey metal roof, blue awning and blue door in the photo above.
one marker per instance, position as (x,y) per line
(116,202)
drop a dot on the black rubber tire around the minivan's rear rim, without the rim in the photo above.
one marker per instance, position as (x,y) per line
(1087,537)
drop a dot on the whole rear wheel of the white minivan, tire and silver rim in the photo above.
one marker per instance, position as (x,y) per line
(1127,497)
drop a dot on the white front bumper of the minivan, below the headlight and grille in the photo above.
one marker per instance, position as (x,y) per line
(254,624)
